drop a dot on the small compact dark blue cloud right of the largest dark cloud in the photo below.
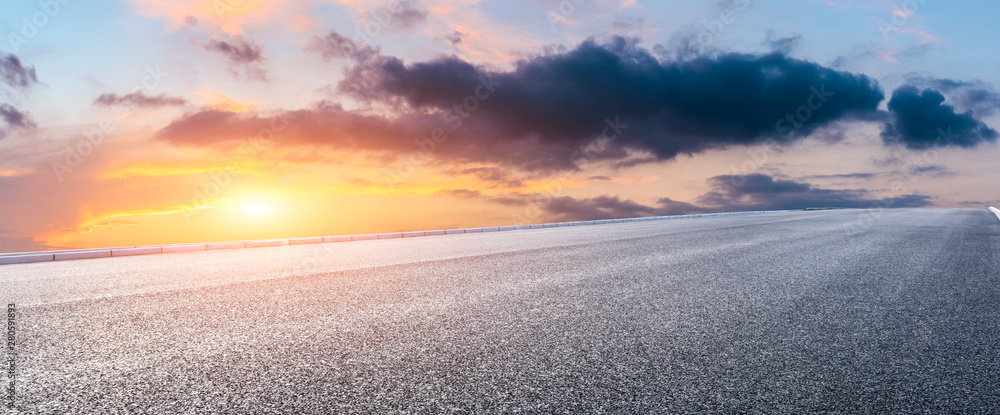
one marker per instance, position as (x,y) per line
(921,120)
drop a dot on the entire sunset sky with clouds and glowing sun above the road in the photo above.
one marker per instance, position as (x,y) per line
(140,122)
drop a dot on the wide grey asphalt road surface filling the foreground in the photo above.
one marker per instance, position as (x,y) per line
(893,311)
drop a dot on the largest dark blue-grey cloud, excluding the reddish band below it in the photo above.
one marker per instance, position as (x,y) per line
(693,106)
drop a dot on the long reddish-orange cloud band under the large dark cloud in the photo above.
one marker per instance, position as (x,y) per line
(406,135)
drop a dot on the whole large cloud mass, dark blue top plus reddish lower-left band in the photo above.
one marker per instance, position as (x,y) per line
(600,101)
